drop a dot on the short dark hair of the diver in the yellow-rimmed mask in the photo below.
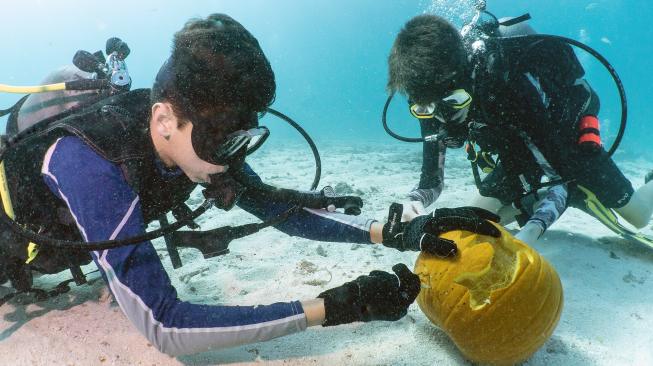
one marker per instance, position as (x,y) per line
(427,59)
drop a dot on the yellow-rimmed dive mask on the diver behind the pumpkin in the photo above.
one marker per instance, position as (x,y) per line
(452,109)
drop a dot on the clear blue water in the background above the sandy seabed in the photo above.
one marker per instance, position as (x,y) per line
(329,56)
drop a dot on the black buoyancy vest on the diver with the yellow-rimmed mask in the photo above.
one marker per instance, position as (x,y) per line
(531,86)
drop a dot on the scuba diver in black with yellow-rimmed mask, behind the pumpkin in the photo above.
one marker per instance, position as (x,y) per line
(528,116)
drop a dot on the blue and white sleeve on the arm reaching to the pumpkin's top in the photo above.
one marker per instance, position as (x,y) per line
(314,224)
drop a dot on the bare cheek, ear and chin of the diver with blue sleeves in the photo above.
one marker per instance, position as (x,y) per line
(173,143)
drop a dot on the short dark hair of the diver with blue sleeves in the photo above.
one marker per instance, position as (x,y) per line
(216,67)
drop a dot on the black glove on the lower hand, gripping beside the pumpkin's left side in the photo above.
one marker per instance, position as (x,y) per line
(377,296)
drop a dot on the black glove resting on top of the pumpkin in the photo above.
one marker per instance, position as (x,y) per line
(422,233)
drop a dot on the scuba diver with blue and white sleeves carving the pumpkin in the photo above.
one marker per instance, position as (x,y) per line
(101,172)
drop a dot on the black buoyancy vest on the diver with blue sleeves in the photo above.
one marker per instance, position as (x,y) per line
(116,128)
